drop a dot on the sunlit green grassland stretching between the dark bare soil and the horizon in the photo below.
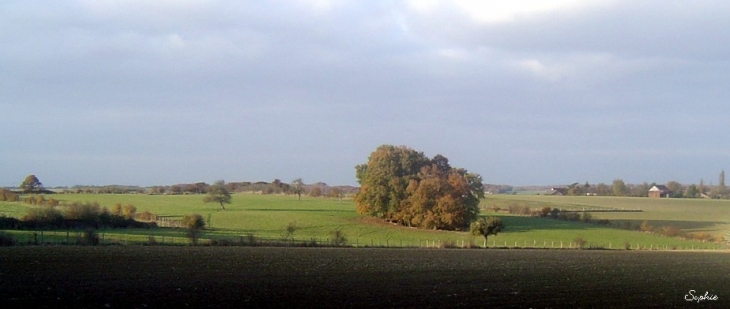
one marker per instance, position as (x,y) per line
(266,217)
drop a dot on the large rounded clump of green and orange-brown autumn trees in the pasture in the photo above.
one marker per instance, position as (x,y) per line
(399,184)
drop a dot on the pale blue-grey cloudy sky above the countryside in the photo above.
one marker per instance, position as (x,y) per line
(522,92)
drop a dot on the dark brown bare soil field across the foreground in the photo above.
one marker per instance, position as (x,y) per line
(244,277)
